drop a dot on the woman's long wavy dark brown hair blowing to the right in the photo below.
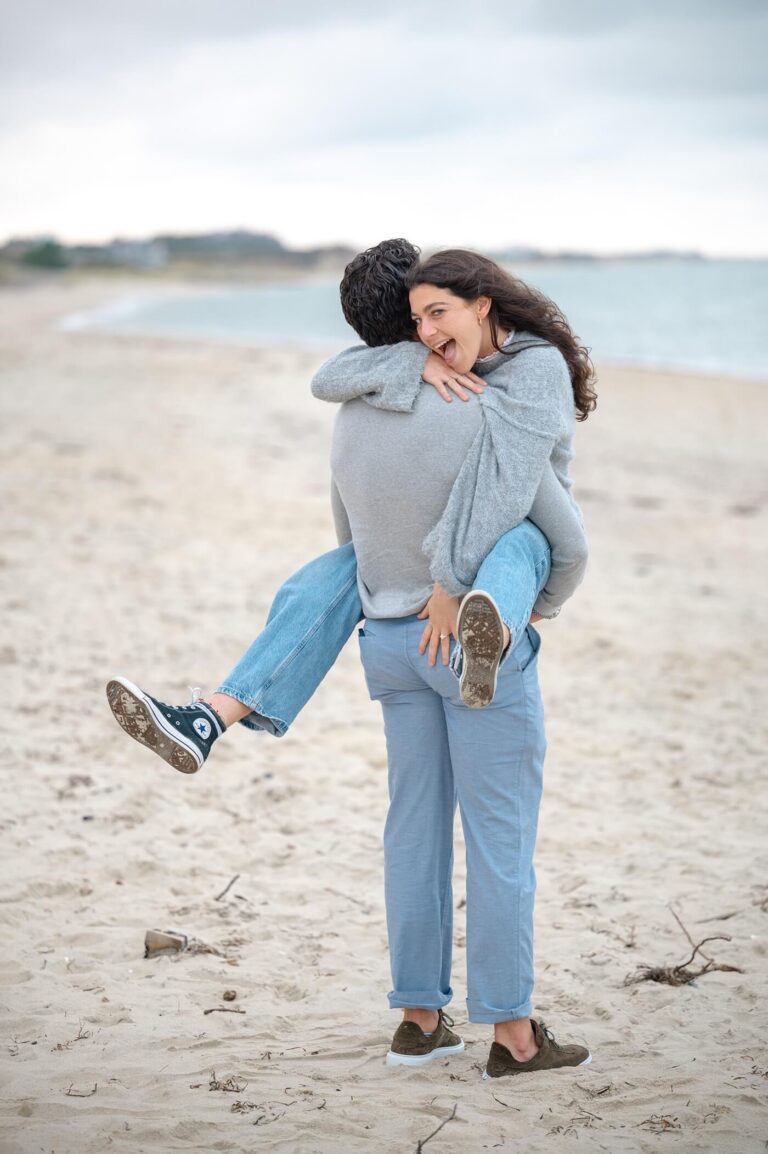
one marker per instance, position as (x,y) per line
(515,305)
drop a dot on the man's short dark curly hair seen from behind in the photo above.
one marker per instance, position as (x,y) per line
(374,294)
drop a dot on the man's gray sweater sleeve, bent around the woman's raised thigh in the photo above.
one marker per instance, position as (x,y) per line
(558,515)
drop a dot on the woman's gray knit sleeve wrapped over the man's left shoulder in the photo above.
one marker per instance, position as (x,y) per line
(387,378)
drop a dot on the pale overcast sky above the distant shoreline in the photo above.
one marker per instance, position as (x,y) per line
(598,125)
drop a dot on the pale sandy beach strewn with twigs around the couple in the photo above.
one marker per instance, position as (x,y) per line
(155,493)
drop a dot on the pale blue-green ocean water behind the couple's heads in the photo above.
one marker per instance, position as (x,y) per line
(705,316)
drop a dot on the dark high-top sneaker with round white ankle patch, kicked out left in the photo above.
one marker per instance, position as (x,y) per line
(182,736)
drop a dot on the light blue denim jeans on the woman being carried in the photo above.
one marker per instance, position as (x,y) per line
(318,609)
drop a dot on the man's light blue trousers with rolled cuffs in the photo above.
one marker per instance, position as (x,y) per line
(491,762)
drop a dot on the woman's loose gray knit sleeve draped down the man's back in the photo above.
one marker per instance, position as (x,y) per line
(529,407)
